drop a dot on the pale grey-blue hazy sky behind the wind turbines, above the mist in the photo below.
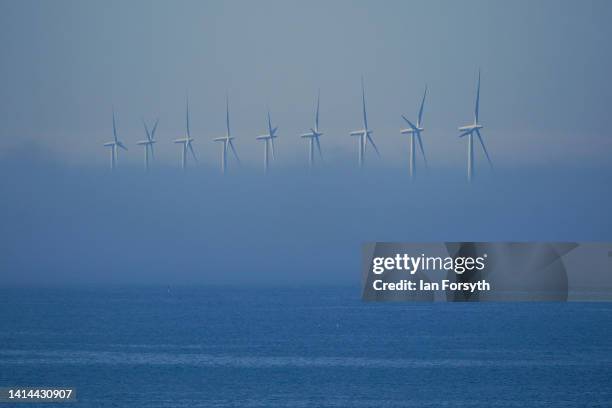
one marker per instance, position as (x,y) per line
(545,67)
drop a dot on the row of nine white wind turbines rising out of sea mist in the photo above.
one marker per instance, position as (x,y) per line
(364,137)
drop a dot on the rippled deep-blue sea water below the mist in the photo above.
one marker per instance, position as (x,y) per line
(302,347)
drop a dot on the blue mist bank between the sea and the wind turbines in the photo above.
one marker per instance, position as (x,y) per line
(68,224)
